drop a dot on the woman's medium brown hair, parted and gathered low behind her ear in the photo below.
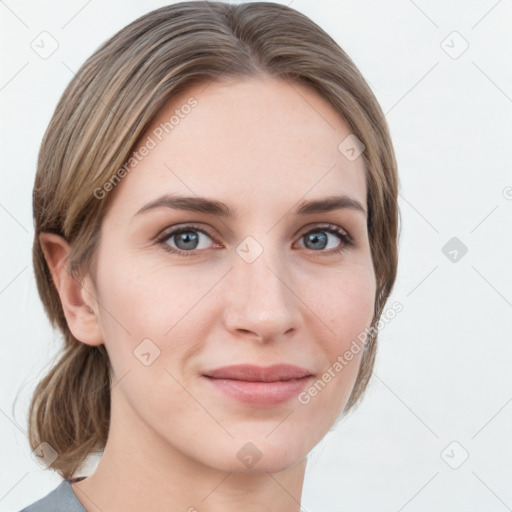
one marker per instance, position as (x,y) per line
(97,124)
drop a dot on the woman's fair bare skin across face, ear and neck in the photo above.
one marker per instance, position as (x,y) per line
(261,146)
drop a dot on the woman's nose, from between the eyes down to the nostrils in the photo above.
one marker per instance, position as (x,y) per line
(259,300)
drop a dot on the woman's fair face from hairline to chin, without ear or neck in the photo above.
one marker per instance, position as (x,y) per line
(185,291)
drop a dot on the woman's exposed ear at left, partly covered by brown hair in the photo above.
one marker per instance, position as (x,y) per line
(77,295)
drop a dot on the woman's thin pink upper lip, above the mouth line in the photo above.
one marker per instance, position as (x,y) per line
(252,373)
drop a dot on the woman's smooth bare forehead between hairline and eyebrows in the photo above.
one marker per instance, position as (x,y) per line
(252,143)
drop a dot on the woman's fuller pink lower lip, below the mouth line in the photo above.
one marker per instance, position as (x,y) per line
(261,394)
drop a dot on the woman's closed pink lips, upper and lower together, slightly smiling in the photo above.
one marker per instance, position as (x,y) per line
(260,386)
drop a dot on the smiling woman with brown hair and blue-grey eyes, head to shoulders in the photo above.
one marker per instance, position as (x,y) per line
(216,238)
